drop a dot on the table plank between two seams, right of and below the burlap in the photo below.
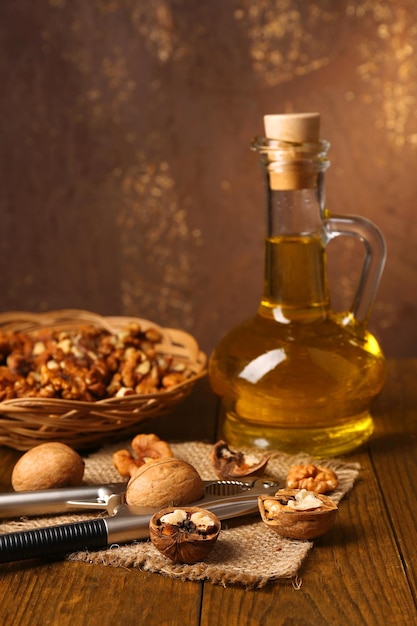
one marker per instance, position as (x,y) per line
(355,571)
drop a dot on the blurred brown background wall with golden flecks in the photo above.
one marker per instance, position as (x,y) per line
(127,185)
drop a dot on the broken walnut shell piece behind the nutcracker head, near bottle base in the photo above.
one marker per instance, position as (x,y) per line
(229,464)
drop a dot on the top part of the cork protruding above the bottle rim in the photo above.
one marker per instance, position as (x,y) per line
(293,127)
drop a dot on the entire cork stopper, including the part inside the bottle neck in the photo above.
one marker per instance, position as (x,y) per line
(293,128)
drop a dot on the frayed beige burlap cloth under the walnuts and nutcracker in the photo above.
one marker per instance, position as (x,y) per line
(247,551)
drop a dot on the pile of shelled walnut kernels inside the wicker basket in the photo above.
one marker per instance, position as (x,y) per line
(87,364)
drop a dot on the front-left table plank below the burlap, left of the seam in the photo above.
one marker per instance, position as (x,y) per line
(74,593)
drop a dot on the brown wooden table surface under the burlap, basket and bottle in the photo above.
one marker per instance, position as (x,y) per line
(363,572)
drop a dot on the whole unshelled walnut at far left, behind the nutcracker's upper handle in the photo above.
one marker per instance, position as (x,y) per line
(47,466)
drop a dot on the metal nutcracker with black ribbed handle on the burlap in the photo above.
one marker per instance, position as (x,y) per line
(124,523)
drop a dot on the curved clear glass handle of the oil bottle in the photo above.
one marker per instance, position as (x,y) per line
(375,255)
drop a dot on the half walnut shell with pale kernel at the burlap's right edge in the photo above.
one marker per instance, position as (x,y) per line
(279,512)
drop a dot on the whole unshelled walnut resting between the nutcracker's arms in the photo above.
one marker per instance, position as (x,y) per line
(164,482)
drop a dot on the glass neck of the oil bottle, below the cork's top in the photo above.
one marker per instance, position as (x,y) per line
(295,279)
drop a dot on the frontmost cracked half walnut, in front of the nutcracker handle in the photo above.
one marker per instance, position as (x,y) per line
(184,535)
